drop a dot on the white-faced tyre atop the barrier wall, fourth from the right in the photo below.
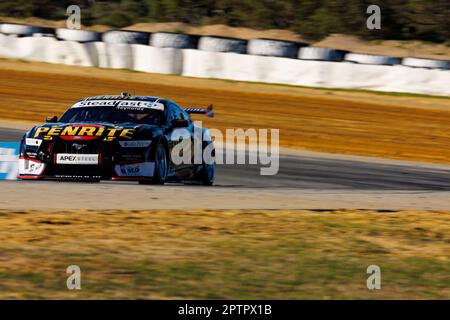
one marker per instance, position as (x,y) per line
(273,48)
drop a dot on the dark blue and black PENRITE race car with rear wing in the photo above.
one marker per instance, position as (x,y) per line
(121,137)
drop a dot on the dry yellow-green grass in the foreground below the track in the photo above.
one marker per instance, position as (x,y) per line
(252,254)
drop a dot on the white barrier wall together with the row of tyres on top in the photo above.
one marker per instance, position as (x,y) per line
(262,60)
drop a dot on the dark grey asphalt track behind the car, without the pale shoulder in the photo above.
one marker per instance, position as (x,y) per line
(309,172)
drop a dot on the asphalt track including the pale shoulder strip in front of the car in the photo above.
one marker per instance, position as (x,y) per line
(304,180)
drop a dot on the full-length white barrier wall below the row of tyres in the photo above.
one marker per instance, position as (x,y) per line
(228,65)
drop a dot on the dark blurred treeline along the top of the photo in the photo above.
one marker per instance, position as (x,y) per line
(315,19)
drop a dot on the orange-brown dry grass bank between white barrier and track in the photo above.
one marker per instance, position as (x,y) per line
(323,120)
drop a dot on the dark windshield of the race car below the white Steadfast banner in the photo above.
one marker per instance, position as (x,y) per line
(114,115)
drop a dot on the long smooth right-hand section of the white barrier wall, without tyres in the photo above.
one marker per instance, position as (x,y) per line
(220,65)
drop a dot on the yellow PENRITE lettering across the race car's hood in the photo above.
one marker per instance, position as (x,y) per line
(83,132)
